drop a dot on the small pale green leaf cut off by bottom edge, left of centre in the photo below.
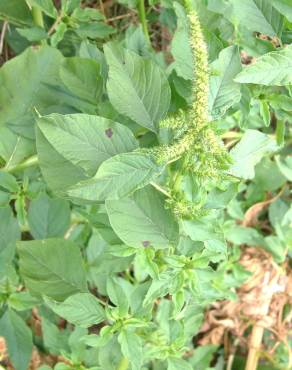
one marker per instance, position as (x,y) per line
(131,346)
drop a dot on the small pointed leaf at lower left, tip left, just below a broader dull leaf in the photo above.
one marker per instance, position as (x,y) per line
(81,309)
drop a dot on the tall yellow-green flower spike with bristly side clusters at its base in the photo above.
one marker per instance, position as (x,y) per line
(200,152)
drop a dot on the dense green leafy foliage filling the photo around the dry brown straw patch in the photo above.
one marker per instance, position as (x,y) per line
(94,228)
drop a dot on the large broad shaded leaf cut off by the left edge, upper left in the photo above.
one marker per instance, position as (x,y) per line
(40,88)
